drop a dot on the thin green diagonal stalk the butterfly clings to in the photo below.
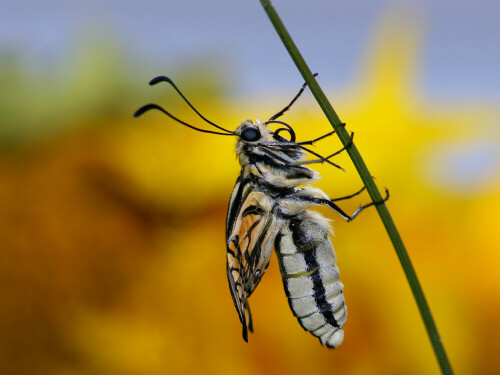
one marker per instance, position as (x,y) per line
(367,179)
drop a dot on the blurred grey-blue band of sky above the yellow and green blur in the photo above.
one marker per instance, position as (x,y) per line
(460,57)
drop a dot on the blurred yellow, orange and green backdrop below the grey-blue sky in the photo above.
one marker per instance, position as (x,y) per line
(112,253)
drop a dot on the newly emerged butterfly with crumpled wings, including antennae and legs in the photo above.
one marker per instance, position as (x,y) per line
(268,210)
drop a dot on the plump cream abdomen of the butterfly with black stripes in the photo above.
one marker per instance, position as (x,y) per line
(311,277)
